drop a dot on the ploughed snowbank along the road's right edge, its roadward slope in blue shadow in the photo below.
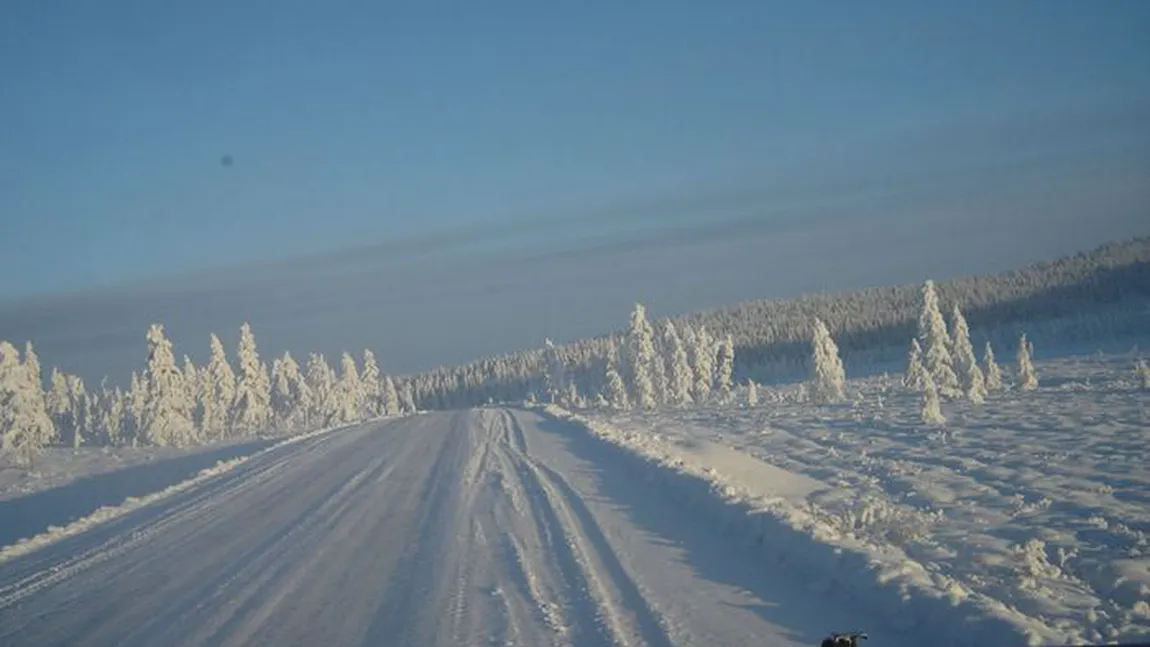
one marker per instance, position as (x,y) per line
(887,587)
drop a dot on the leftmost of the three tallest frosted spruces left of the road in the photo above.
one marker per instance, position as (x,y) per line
(167,415)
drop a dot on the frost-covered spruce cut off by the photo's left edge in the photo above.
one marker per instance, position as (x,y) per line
(26,427)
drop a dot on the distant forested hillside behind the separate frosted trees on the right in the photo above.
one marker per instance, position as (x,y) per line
(1097,296)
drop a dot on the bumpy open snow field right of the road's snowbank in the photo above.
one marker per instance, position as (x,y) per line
(1033,506)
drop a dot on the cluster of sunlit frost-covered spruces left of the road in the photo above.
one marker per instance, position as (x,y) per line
(170,404)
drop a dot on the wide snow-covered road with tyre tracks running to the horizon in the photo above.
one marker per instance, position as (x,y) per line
(476,528)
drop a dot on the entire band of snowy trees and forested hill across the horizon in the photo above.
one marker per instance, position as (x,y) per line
(683,361)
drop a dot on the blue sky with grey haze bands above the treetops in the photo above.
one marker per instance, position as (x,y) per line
(532,168)
